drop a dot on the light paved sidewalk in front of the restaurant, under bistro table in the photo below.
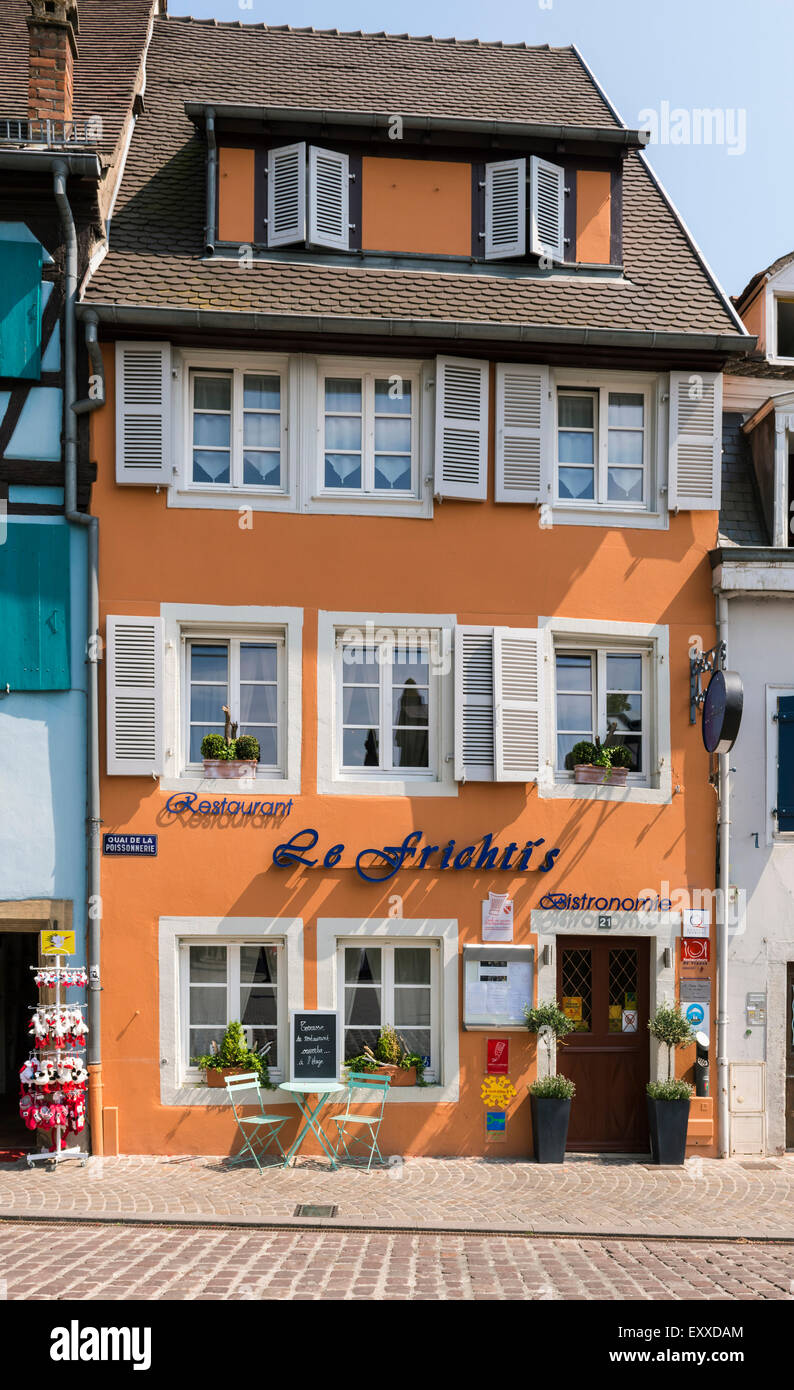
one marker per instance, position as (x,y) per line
(586,1196)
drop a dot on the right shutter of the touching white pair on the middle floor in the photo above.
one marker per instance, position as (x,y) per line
(518,701)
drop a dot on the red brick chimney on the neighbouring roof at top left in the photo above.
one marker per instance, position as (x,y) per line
(52,28)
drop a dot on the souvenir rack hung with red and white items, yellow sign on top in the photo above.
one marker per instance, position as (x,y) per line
(54,1079)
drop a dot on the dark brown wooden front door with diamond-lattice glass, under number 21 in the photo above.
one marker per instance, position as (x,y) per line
(606,981)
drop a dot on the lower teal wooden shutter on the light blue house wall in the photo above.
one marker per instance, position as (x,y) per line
(35,605)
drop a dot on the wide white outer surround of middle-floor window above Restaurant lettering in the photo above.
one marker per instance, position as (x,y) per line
(187,622)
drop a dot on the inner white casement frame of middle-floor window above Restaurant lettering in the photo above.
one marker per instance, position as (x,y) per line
(233,639)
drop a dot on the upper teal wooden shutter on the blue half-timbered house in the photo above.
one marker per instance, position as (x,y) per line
(22,311)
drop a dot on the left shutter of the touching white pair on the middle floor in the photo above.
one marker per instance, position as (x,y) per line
(473,704)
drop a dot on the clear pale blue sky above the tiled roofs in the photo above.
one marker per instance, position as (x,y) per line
(729,55)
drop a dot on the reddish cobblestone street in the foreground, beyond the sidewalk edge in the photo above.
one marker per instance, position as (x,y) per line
(156,1263)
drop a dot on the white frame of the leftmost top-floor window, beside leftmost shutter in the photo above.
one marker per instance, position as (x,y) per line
(237,366)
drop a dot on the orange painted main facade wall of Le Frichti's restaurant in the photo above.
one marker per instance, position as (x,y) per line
(485,564)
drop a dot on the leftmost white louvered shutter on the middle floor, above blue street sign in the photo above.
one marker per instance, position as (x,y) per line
(134,696)
